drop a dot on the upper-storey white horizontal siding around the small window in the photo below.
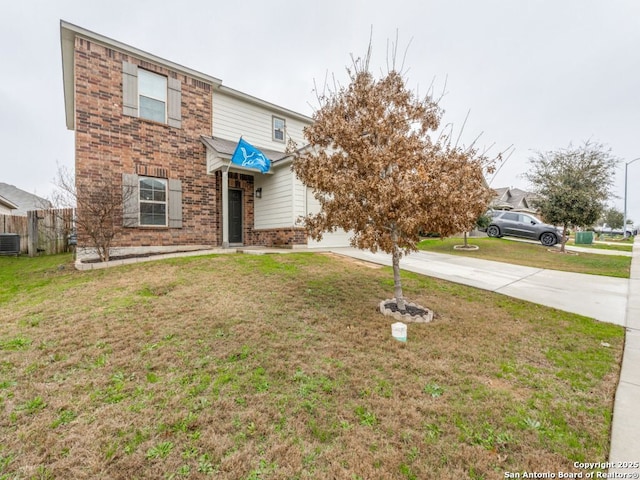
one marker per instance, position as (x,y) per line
(233,118)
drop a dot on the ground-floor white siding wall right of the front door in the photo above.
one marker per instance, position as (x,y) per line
(274,209)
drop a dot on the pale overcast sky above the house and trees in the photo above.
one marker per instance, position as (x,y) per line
(533,74)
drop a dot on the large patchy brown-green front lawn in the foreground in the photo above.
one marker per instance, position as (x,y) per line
(279,367)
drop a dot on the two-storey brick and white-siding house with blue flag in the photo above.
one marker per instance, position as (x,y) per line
(166,133)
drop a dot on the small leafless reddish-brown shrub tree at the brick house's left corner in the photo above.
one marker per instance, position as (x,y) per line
(99,205)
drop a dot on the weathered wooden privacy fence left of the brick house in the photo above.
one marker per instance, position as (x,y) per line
(41,231)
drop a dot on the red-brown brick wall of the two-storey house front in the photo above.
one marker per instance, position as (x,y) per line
(109,143)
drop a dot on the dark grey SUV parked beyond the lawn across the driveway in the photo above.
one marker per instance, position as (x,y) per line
(523,225)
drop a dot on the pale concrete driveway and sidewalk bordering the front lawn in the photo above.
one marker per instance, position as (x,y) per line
(613,300)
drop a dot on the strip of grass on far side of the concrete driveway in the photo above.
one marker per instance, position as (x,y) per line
(533,255)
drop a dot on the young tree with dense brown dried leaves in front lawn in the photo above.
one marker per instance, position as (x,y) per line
(379,173)
